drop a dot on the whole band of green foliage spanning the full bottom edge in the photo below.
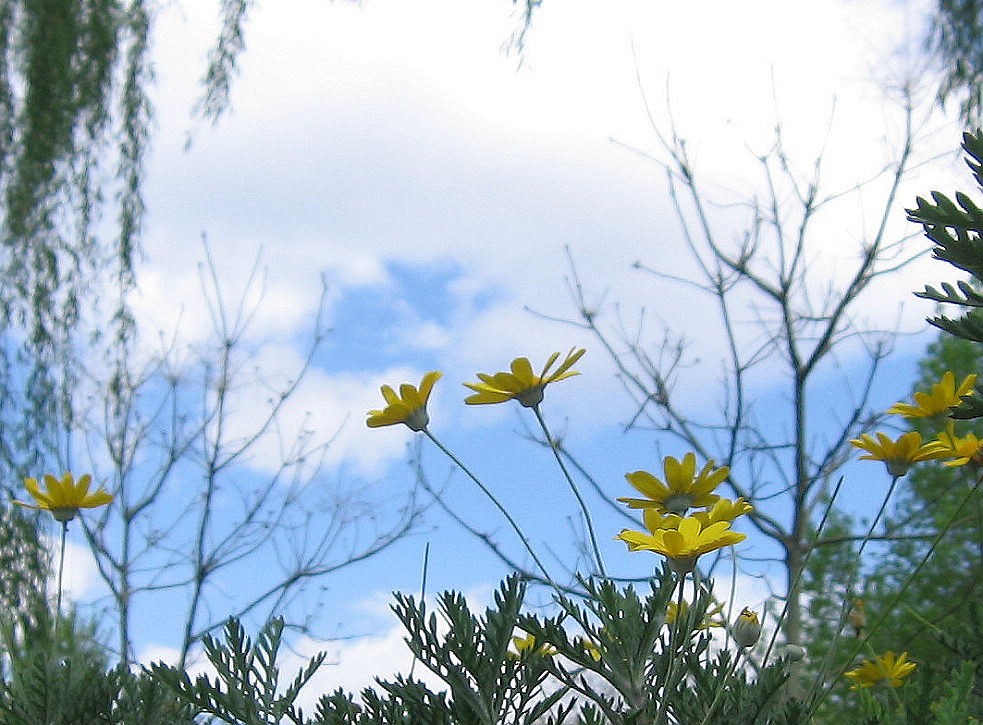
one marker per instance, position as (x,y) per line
(640,670)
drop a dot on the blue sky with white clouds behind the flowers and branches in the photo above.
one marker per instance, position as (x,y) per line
(434,182)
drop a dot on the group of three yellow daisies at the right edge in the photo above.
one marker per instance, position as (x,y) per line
(900,454)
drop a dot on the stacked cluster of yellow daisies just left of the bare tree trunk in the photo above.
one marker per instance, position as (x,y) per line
(670,529)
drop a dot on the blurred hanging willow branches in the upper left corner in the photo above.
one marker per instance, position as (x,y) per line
(75,122)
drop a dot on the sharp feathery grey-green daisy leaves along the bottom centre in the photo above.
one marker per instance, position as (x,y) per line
(634,668)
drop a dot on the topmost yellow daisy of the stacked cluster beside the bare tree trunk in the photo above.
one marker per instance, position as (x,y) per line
(683,488)
